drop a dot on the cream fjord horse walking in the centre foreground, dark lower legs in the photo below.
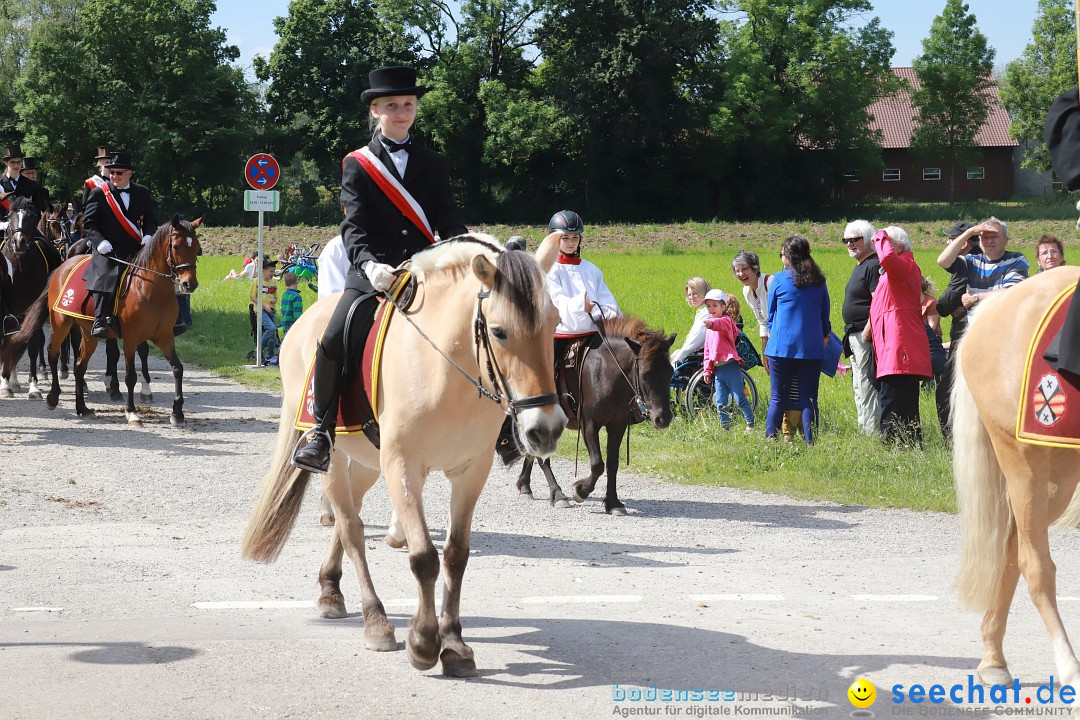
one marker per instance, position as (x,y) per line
(475,302)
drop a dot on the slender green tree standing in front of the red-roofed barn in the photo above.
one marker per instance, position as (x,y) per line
(955,78)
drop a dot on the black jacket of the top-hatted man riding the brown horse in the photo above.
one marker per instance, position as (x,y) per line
(100,224)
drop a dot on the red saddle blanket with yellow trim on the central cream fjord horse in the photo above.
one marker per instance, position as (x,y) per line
(366,381)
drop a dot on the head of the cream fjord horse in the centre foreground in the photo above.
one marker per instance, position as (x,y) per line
(520,328)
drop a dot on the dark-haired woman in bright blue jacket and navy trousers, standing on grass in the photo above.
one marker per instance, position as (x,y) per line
(799,333)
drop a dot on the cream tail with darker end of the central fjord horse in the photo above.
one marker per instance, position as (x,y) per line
(279,504)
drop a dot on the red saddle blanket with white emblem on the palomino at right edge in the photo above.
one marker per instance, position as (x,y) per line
(1050,406)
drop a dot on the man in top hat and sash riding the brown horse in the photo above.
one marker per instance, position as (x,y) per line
(118,221)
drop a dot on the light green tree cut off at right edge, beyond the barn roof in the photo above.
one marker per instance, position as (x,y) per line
(1034,81)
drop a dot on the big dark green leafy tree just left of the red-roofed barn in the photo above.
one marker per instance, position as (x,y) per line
(794,81)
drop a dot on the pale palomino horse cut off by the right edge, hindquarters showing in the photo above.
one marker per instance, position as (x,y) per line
(1009,493)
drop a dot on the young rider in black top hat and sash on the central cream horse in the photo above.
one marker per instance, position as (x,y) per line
(377,236)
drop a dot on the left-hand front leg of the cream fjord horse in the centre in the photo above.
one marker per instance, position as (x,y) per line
(406,484)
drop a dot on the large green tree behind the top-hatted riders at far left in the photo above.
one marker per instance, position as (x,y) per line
(167,93)
